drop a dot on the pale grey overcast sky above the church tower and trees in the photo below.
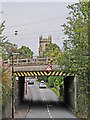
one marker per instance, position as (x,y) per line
(32,19)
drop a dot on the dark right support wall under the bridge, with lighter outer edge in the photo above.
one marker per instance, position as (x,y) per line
(70,91)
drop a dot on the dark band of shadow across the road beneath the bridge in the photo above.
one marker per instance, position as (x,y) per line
(43,104)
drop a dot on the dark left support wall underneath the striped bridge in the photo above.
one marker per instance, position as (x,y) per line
(21,88)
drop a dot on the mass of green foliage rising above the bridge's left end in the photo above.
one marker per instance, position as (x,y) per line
(7,48)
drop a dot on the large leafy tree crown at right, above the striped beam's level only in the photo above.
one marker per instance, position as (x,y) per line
(76,46)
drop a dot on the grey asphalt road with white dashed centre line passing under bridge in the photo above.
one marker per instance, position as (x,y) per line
(45,104)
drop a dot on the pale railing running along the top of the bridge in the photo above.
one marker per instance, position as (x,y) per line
(31,61)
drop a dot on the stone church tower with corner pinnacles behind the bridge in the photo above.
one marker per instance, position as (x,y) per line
(43,42)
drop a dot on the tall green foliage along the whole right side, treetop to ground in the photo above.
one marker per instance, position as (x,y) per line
(74,58)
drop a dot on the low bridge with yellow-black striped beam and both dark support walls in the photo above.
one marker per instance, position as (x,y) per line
(26,69)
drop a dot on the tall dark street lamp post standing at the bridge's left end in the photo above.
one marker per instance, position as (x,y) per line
(13,84)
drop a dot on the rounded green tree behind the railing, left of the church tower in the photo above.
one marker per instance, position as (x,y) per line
(26,51)
